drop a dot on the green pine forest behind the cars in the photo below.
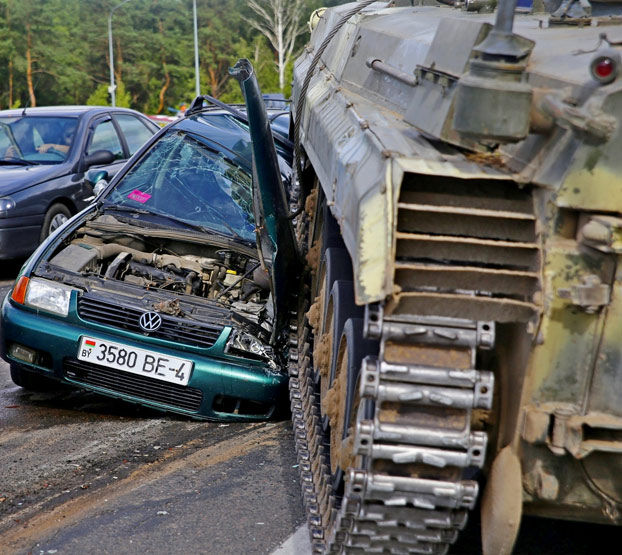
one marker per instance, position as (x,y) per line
(55,52)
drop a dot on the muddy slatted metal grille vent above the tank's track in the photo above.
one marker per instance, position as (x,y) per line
(466,249)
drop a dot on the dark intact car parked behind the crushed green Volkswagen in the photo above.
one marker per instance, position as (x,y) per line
(44,156)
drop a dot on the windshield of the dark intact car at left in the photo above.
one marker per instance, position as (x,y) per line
(36,139)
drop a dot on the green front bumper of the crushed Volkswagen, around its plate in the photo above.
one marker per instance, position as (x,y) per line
(218,389)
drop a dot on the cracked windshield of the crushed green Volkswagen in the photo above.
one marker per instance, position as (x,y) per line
(183,178)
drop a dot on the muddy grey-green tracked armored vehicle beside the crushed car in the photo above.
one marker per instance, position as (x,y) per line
(461,225)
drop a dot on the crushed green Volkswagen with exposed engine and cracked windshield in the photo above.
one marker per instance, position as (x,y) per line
(161,292)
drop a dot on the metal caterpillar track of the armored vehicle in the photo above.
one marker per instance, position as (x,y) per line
(389,504)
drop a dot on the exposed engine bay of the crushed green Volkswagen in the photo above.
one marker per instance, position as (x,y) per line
(228,275)
